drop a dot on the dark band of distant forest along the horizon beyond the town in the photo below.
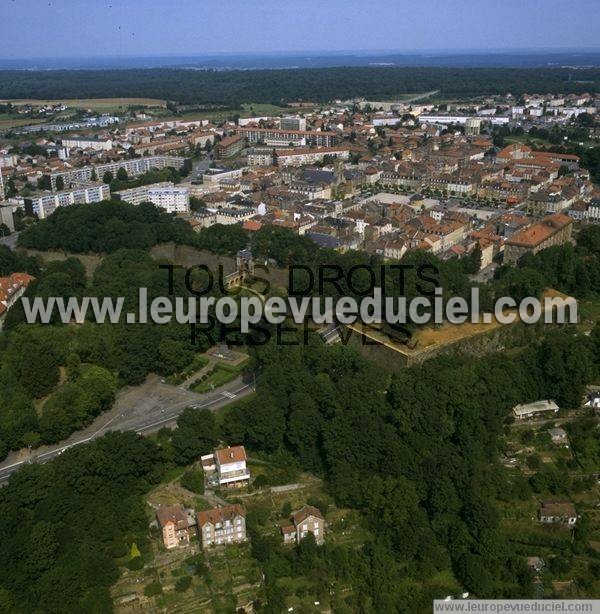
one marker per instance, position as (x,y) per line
(234,87)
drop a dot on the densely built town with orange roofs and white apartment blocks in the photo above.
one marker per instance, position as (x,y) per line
(385,178)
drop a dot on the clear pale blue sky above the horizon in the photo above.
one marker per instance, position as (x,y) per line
(89,28)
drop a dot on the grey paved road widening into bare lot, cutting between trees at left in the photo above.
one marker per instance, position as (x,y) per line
(144,409)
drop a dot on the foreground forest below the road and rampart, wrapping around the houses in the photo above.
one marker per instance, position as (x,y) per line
(415,454)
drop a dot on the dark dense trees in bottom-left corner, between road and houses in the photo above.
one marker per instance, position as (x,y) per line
(58,530)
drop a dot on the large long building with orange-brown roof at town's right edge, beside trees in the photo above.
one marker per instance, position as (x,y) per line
(552,230)
